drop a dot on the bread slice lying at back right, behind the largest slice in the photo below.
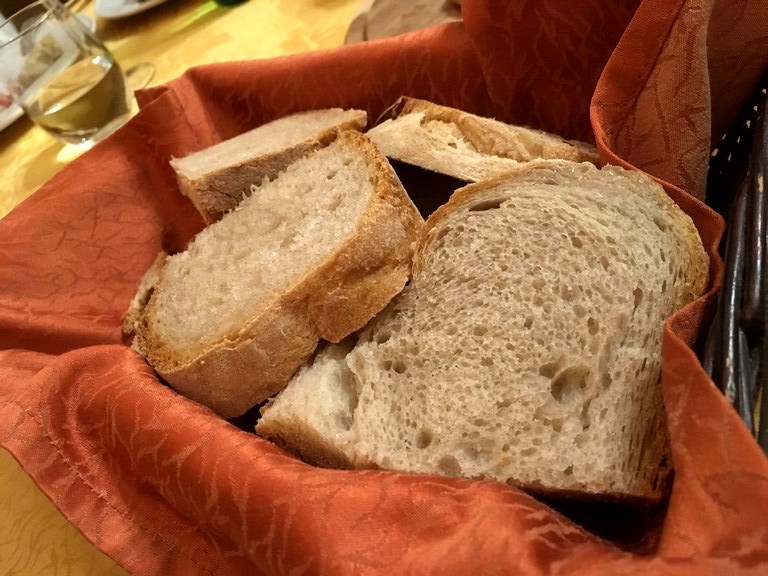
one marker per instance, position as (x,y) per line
(463,145)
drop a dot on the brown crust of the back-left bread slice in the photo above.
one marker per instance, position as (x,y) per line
(217,192)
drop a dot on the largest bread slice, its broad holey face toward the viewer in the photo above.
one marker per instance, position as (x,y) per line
(526,348)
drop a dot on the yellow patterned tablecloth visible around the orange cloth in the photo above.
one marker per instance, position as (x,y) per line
(34,537)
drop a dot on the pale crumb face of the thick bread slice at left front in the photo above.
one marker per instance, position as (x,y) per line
(232,268)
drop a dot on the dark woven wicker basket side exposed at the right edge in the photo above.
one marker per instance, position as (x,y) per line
(734,353)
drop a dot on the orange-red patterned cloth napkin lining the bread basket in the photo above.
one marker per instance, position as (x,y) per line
(165,487)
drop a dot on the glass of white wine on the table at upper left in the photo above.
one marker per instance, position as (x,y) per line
(61,74)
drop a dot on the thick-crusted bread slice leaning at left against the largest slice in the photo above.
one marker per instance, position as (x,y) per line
(313,254)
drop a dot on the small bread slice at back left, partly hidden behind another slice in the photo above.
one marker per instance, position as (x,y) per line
(217,178)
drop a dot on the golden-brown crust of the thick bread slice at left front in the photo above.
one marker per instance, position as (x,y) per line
(234,373)
